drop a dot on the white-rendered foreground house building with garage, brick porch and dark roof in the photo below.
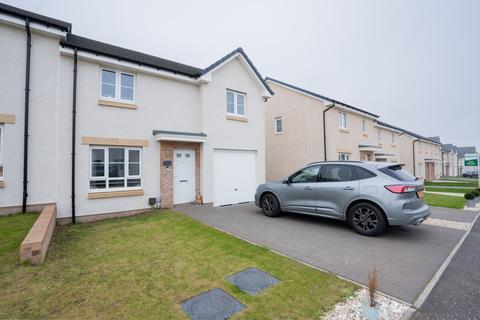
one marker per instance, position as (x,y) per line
(99,129)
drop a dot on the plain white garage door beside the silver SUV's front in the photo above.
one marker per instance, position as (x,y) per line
(234,175)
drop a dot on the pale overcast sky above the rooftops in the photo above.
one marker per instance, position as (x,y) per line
(415,63)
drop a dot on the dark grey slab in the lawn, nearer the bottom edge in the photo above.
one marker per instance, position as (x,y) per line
(212,305)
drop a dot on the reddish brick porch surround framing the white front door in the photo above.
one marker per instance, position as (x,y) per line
(166,175)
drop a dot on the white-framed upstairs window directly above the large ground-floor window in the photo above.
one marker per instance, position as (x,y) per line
(118,85)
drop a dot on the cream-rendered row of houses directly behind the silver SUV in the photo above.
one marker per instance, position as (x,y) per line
(303,127)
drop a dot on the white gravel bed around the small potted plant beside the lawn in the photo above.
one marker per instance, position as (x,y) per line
(351,309)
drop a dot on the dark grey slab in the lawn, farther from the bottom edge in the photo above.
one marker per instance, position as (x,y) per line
(252,280)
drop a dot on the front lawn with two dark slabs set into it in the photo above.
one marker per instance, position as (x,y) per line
(144,266)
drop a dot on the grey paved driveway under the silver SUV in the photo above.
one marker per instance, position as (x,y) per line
(406,257)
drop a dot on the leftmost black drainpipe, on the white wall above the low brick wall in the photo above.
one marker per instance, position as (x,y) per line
(27,106)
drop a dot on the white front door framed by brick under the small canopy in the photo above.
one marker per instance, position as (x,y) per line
(183,176)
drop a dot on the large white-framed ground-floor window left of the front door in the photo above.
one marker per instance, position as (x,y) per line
(115,168)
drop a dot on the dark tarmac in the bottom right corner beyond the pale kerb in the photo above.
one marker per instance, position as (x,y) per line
(456,295)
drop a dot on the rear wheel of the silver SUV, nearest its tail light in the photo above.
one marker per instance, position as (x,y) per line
(367,219)
